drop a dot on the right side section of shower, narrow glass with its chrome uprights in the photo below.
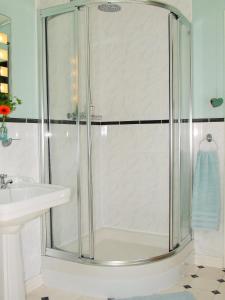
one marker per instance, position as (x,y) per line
(181,110)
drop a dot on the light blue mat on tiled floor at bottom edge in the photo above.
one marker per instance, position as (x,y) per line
(174,296)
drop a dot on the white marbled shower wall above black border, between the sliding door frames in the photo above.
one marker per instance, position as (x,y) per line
(137,52)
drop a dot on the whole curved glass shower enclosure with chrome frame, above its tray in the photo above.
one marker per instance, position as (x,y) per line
(116,129)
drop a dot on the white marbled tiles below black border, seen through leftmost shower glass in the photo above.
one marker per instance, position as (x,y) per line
(64,164)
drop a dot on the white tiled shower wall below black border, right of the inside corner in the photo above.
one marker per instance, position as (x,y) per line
(135,177)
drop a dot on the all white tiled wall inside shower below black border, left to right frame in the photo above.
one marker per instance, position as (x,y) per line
(130,178)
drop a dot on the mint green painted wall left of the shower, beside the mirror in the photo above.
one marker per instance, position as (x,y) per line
(24,54)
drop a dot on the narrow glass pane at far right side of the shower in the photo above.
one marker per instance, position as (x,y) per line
(185,131)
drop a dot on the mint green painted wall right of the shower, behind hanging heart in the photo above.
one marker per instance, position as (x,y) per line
(208,56)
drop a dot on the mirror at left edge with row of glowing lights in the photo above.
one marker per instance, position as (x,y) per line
(5,34)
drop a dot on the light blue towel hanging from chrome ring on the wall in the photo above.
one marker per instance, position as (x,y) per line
(206,191)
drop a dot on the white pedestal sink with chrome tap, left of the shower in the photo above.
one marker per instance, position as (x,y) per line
(20,203)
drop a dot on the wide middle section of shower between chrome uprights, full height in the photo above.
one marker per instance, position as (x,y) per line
(129,83)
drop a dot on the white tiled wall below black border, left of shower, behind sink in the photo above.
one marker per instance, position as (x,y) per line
(22,159)
